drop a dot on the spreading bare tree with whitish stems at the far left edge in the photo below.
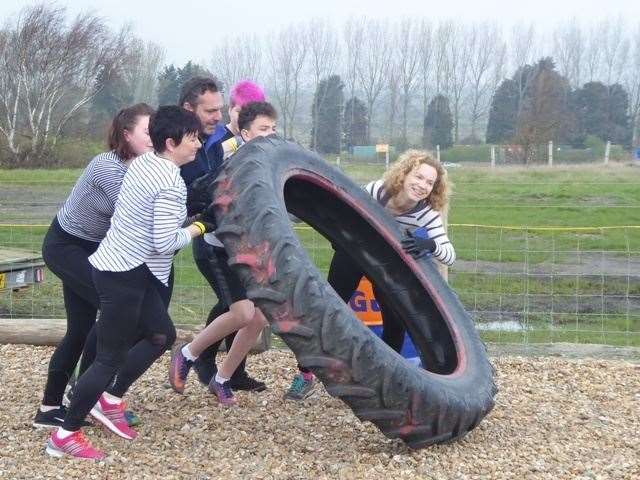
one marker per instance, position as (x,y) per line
(50,71)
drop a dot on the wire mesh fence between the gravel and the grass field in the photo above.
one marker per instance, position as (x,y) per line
(524,285)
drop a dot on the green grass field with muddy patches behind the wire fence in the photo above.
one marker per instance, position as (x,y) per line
(576,282)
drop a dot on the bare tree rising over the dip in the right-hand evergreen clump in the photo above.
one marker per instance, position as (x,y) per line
(569,51)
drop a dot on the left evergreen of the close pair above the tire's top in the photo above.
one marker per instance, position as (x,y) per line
(326,115)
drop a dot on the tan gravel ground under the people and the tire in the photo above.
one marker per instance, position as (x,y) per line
(554,419)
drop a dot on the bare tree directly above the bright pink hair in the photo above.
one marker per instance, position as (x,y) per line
(237,58)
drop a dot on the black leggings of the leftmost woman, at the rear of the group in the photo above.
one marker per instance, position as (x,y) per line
(67,257)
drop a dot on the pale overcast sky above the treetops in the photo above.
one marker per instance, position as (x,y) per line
(188,29)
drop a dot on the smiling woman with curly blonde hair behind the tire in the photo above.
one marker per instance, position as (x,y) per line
(415,190)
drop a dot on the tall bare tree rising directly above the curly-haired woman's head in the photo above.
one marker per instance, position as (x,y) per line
(407,55)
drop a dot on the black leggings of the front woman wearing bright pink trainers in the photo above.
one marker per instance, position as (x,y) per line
(126,298)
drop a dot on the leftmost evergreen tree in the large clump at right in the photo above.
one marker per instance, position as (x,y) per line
(501,126)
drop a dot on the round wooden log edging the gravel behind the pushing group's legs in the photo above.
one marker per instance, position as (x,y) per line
(49,331)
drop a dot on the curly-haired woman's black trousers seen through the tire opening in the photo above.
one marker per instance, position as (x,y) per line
(344,276)
